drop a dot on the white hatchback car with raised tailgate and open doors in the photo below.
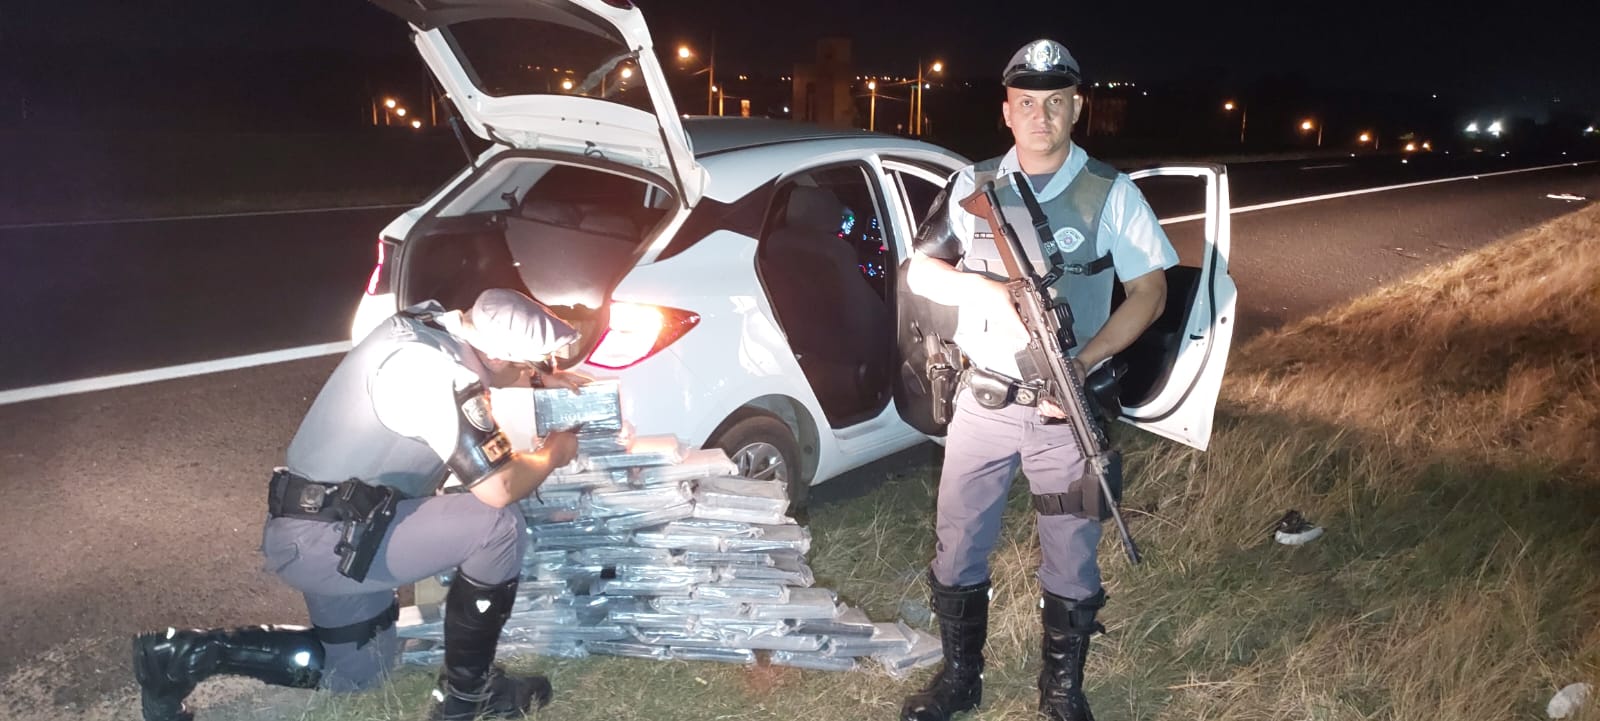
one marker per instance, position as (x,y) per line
(740,277)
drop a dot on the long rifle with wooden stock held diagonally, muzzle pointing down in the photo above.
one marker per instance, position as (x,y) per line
(1049,322)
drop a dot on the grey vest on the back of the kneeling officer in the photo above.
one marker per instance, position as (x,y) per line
(342,436)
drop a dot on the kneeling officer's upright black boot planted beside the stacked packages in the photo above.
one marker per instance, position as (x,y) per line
(471,685)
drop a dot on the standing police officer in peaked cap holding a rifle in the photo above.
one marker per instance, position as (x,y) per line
(1105,229)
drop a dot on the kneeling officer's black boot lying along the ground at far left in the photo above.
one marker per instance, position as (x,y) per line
(170,664)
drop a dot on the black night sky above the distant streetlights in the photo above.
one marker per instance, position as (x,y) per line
(1522,54)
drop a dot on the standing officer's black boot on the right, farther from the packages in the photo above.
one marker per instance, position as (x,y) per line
(1068,629)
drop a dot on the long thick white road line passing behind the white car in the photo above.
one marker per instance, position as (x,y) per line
(340,348)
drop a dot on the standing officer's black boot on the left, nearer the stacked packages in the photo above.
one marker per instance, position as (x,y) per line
(964,624)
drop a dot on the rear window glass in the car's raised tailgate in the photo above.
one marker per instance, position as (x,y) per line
(561,55)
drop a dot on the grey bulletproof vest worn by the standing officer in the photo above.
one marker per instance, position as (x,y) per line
(1074,221)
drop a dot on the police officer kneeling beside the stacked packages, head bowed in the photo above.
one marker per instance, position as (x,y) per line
(358,514)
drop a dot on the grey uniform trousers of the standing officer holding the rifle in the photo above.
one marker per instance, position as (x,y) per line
(983,452)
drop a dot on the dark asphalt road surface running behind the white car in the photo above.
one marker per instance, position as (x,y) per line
(142,508)
